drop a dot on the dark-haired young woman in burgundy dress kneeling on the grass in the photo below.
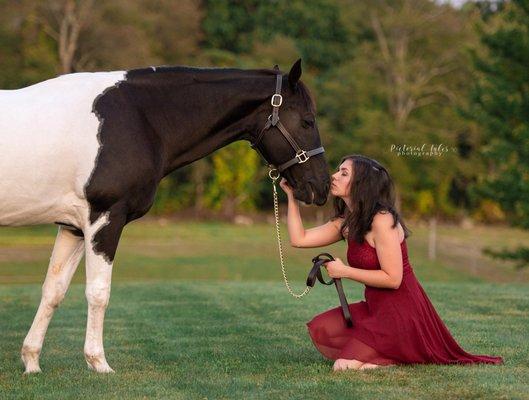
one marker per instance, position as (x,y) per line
(397,323)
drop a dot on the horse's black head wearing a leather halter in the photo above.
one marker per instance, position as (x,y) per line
(289,139)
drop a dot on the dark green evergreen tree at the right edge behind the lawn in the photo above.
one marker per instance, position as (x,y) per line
(499,103)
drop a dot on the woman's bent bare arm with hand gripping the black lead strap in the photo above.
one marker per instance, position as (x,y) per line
(387,244)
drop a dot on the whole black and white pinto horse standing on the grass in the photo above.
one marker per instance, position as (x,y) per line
(87,151)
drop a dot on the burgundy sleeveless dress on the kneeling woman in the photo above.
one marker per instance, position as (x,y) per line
(392,326)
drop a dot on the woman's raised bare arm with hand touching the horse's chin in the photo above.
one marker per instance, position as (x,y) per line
(315,237)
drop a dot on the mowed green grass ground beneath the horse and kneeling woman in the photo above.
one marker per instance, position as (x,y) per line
(200,311)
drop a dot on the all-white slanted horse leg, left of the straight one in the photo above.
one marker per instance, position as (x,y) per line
(67,252)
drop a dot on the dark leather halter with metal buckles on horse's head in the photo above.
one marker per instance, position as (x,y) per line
(273,120)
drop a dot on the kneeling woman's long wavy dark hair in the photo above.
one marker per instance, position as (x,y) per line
(372,190)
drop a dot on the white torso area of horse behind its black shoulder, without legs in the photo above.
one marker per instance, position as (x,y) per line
(48,139)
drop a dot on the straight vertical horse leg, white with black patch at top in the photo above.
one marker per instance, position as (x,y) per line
(101,240)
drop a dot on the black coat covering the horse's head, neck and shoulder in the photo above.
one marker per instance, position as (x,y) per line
(157,120)
